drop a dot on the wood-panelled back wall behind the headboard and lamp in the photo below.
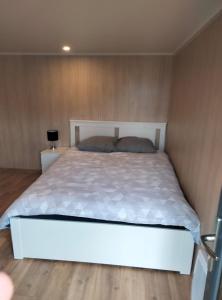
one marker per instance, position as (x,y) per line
(42,92)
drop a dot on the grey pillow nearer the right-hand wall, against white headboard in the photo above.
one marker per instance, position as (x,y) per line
(135,144)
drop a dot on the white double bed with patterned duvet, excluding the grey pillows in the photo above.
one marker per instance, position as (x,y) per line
(122,209)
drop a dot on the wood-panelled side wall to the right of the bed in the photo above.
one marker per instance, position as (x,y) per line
(195,121)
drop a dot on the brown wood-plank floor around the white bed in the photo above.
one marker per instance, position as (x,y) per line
(50,280)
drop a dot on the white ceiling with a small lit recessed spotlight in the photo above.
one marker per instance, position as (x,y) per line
(101,26)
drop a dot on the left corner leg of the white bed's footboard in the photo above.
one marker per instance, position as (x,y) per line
(16,234)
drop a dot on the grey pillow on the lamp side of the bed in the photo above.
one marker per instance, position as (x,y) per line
(98,144)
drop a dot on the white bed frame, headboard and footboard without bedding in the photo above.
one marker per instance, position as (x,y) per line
(152,247)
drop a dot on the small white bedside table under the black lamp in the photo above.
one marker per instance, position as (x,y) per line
(48,156)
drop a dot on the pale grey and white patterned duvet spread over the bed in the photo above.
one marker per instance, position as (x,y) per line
(123,187)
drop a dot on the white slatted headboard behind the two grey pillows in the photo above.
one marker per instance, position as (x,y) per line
(82,129)
